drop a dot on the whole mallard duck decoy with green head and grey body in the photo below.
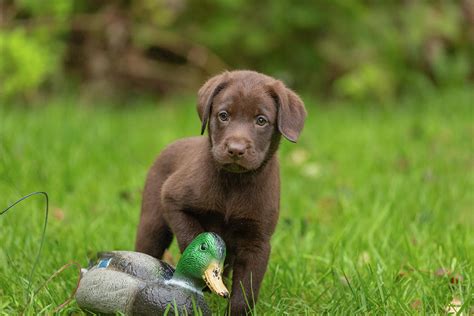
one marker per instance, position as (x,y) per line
(134,283)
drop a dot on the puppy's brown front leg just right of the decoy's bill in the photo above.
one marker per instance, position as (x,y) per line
(249,267)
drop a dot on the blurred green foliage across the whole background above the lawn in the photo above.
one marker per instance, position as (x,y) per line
(354,49)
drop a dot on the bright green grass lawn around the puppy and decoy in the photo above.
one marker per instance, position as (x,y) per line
(375,201)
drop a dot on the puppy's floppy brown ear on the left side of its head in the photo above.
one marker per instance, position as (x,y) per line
(206,96)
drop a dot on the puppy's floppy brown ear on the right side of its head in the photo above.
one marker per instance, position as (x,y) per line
(291,111)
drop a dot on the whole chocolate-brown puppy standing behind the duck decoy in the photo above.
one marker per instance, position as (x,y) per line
(227,183)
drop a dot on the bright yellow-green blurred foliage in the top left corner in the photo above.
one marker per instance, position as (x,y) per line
(31,47)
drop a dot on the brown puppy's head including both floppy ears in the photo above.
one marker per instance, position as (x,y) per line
(246,113)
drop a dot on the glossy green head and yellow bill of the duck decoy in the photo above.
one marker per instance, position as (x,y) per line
(202,263)
